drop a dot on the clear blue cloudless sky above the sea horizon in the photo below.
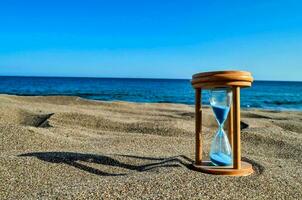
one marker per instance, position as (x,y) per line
(151,38)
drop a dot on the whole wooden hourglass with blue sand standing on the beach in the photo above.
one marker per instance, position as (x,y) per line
(224,95)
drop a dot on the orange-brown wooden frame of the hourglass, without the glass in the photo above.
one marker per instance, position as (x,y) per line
(234,80)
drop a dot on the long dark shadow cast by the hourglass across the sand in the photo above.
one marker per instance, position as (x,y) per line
(77,159)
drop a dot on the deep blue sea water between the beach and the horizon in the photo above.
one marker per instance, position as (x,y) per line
(273,95)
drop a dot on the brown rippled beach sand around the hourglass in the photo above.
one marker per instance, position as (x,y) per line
(71,148)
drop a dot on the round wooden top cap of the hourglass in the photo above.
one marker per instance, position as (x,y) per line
(222,79)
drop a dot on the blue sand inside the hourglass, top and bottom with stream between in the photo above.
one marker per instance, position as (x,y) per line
(219,157)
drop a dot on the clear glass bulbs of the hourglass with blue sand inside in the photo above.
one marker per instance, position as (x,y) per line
(221,152)
